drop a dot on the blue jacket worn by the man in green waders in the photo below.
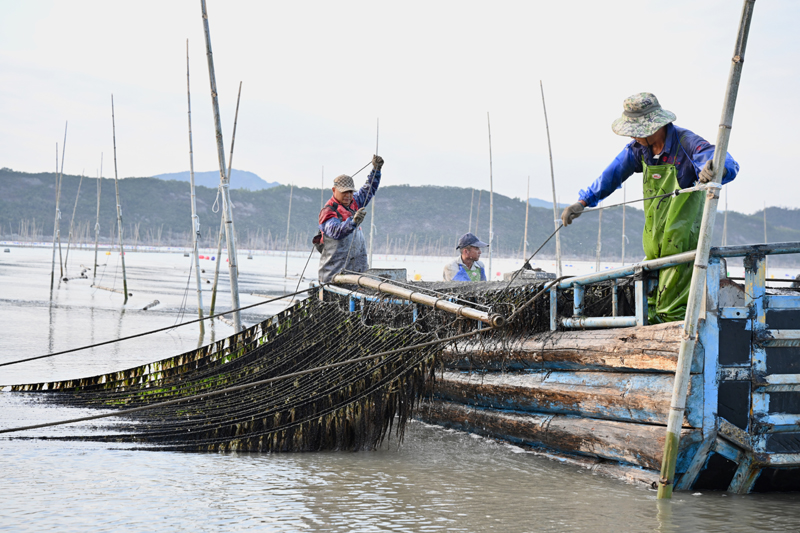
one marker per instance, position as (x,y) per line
(692,153)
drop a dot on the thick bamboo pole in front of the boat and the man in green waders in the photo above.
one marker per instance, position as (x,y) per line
(689,340)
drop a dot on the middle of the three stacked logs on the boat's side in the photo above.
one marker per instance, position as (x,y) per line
(620,396)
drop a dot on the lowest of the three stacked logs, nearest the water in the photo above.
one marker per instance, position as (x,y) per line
(637,444)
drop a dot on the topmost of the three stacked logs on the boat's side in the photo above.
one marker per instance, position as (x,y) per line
(641,348)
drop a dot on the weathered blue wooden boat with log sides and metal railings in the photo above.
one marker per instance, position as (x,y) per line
(596,390)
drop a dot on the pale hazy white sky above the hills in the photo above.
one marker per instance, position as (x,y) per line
(317,75)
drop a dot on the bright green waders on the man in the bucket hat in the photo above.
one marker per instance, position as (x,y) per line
(671,226)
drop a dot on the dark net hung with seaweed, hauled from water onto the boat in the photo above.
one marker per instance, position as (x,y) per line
(351,407)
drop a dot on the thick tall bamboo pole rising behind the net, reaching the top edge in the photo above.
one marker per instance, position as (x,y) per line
(224,180)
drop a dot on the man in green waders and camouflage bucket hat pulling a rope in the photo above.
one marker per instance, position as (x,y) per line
(669,158)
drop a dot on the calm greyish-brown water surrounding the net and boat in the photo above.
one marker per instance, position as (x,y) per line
(436,480)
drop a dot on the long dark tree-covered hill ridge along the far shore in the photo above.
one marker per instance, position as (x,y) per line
(159,212)
